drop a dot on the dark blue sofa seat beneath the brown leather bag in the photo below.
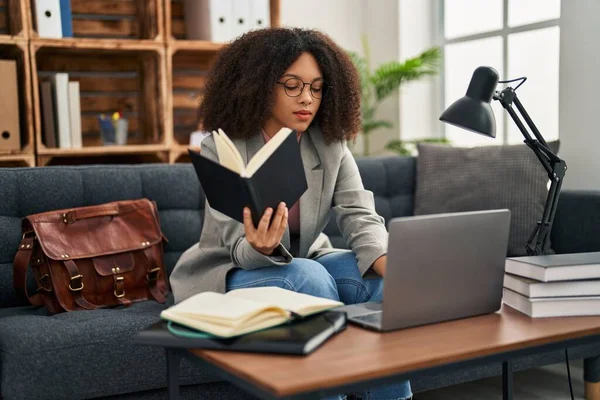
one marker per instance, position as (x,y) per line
(82,354)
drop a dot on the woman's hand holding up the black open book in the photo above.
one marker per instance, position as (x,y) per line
(265,238)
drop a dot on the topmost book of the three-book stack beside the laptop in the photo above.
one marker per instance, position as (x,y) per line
(556,267)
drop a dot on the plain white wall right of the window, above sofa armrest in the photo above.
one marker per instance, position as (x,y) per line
(579,88)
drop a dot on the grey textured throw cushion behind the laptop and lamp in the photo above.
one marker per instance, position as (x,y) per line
(454,179)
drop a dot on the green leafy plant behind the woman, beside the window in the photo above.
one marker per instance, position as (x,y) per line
(377,85)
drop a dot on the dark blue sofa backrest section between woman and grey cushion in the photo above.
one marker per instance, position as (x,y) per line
(392,181)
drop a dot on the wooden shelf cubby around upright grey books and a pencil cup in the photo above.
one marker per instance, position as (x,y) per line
(129,78)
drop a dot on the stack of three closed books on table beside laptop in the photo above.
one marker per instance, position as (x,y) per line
(554,285)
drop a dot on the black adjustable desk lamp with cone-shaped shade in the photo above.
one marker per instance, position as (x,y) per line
(474,113)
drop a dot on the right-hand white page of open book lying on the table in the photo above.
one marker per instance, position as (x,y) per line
(299,303)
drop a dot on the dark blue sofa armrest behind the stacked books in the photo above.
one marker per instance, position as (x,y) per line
(577,222)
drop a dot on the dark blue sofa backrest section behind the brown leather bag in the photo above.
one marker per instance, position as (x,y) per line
(25,191)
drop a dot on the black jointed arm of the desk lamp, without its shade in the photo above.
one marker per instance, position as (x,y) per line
(554,166)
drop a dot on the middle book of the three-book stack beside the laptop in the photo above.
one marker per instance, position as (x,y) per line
(531,288)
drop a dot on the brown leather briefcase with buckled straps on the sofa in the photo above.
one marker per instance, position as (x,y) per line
(92,257)
